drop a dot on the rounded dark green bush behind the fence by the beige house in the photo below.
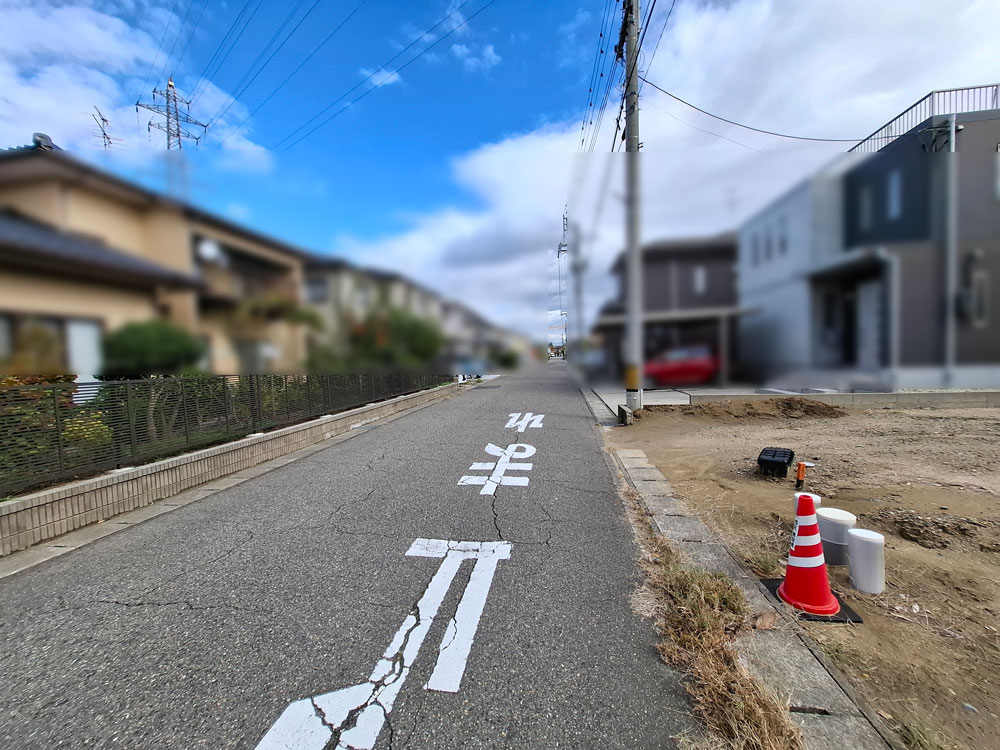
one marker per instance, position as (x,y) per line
(154,347)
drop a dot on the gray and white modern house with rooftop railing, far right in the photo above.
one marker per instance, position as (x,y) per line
(884,264)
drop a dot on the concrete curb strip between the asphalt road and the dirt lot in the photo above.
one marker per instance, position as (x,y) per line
(830,713)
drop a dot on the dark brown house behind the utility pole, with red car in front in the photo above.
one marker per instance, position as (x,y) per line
(689,299)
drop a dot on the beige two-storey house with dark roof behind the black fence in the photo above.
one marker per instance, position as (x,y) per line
(240,277)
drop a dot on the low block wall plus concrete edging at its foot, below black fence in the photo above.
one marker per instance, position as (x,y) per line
(163,486)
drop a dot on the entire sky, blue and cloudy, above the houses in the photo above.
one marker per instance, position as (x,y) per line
(456,171)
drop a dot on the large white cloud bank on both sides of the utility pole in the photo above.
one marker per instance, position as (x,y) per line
(836,68)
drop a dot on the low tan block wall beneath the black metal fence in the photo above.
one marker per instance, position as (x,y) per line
(43,515)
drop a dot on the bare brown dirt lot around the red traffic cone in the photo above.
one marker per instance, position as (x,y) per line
(927,657)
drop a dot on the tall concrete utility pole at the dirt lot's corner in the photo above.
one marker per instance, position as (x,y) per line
(633,303)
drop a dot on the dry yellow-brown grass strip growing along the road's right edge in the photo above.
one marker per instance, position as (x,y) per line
(698,615)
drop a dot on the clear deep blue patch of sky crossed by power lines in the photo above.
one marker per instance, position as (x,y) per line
(388,156)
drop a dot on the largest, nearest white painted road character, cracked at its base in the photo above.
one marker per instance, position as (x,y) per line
(359,712)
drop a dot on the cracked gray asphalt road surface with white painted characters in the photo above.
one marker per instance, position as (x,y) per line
(197,628)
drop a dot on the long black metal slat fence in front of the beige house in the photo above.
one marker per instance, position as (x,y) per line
(60,431)
